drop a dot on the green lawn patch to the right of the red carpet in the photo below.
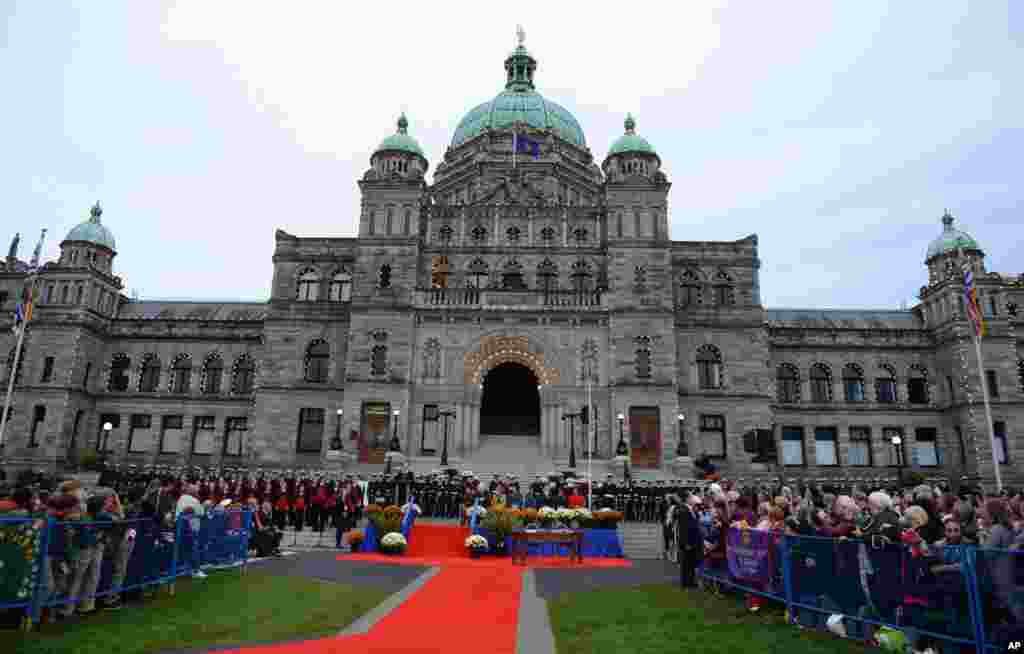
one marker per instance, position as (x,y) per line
(665,619)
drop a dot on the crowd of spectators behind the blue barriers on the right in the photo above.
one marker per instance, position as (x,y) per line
(927,520)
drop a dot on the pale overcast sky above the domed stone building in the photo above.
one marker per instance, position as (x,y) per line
(838,134)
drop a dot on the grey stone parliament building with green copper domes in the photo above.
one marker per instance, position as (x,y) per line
(489,304)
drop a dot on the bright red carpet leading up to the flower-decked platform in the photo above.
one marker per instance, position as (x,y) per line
(470,607)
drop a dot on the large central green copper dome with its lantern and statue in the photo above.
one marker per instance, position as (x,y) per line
(520,104)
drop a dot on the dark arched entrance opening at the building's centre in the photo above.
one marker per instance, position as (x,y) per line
(511,403)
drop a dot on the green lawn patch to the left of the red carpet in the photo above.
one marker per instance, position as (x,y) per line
(226,608)
